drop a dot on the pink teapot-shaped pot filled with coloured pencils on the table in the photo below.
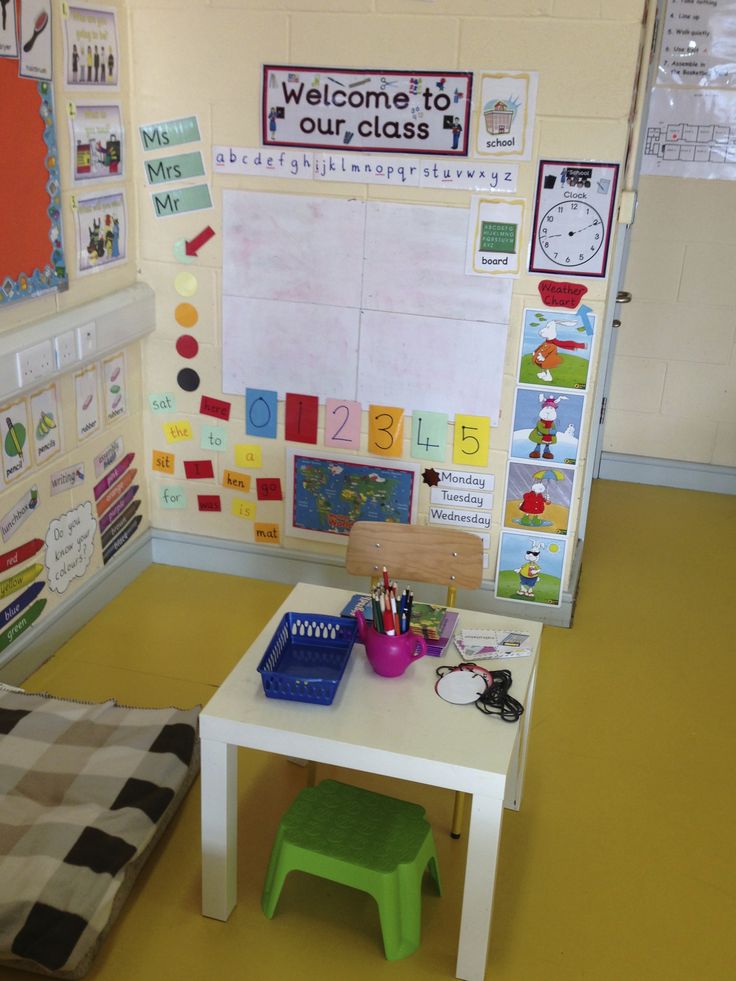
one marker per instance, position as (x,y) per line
(390,644)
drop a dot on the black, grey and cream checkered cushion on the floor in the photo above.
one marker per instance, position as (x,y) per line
(85,791)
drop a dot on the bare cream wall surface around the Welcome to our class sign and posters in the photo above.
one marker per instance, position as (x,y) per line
(204,57)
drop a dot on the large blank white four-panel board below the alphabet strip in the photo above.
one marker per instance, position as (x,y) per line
(358,300)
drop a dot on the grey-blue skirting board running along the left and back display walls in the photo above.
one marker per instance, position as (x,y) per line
(50,633)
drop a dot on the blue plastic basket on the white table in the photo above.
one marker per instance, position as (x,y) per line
(307,656)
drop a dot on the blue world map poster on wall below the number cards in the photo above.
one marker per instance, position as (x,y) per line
(328,495)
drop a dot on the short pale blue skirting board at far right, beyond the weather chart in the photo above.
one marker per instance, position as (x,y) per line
(667,473)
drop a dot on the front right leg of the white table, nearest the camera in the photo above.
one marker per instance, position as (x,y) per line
(480,876)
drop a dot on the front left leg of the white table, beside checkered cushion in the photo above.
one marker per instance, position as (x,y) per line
(219,788)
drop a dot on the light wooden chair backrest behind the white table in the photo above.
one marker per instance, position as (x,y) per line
(420,553)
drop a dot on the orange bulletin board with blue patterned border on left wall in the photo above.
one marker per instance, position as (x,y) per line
(31,250)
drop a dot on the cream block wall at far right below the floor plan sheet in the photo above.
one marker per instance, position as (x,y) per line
(673,391)
